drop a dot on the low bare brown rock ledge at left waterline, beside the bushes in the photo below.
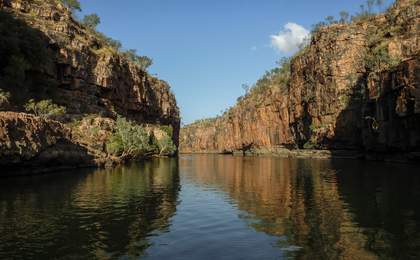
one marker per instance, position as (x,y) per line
(31,142)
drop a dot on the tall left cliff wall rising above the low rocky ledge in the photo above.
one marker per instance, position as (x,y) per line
(82,74)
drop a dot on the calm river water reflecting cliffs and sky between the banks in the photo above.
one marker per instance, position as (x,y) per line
(215,207)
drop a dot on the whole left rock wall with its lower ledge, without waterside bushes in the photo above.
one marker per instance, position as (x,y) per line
(46,55)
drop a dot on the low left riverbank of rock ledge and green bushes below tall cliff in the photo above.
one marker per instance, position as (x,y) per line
(33,145)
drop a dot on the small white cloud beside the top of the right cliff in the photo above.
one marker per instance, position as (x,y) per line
(290,38)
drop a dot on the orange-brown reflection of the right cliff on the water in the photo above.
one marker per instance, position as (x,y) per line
(302,202)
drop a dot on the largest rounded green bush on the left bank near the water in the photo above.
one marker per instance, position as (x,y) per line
(130,139)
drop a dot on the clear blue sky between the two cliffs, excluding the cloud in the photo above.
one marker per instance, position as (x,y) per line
(206,49)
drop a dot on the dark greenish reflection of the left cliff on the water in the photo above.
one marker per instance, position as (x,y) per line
(87,213)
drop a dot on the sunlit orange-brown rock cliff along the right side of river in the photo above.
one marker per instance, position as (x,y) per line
(355,87)
